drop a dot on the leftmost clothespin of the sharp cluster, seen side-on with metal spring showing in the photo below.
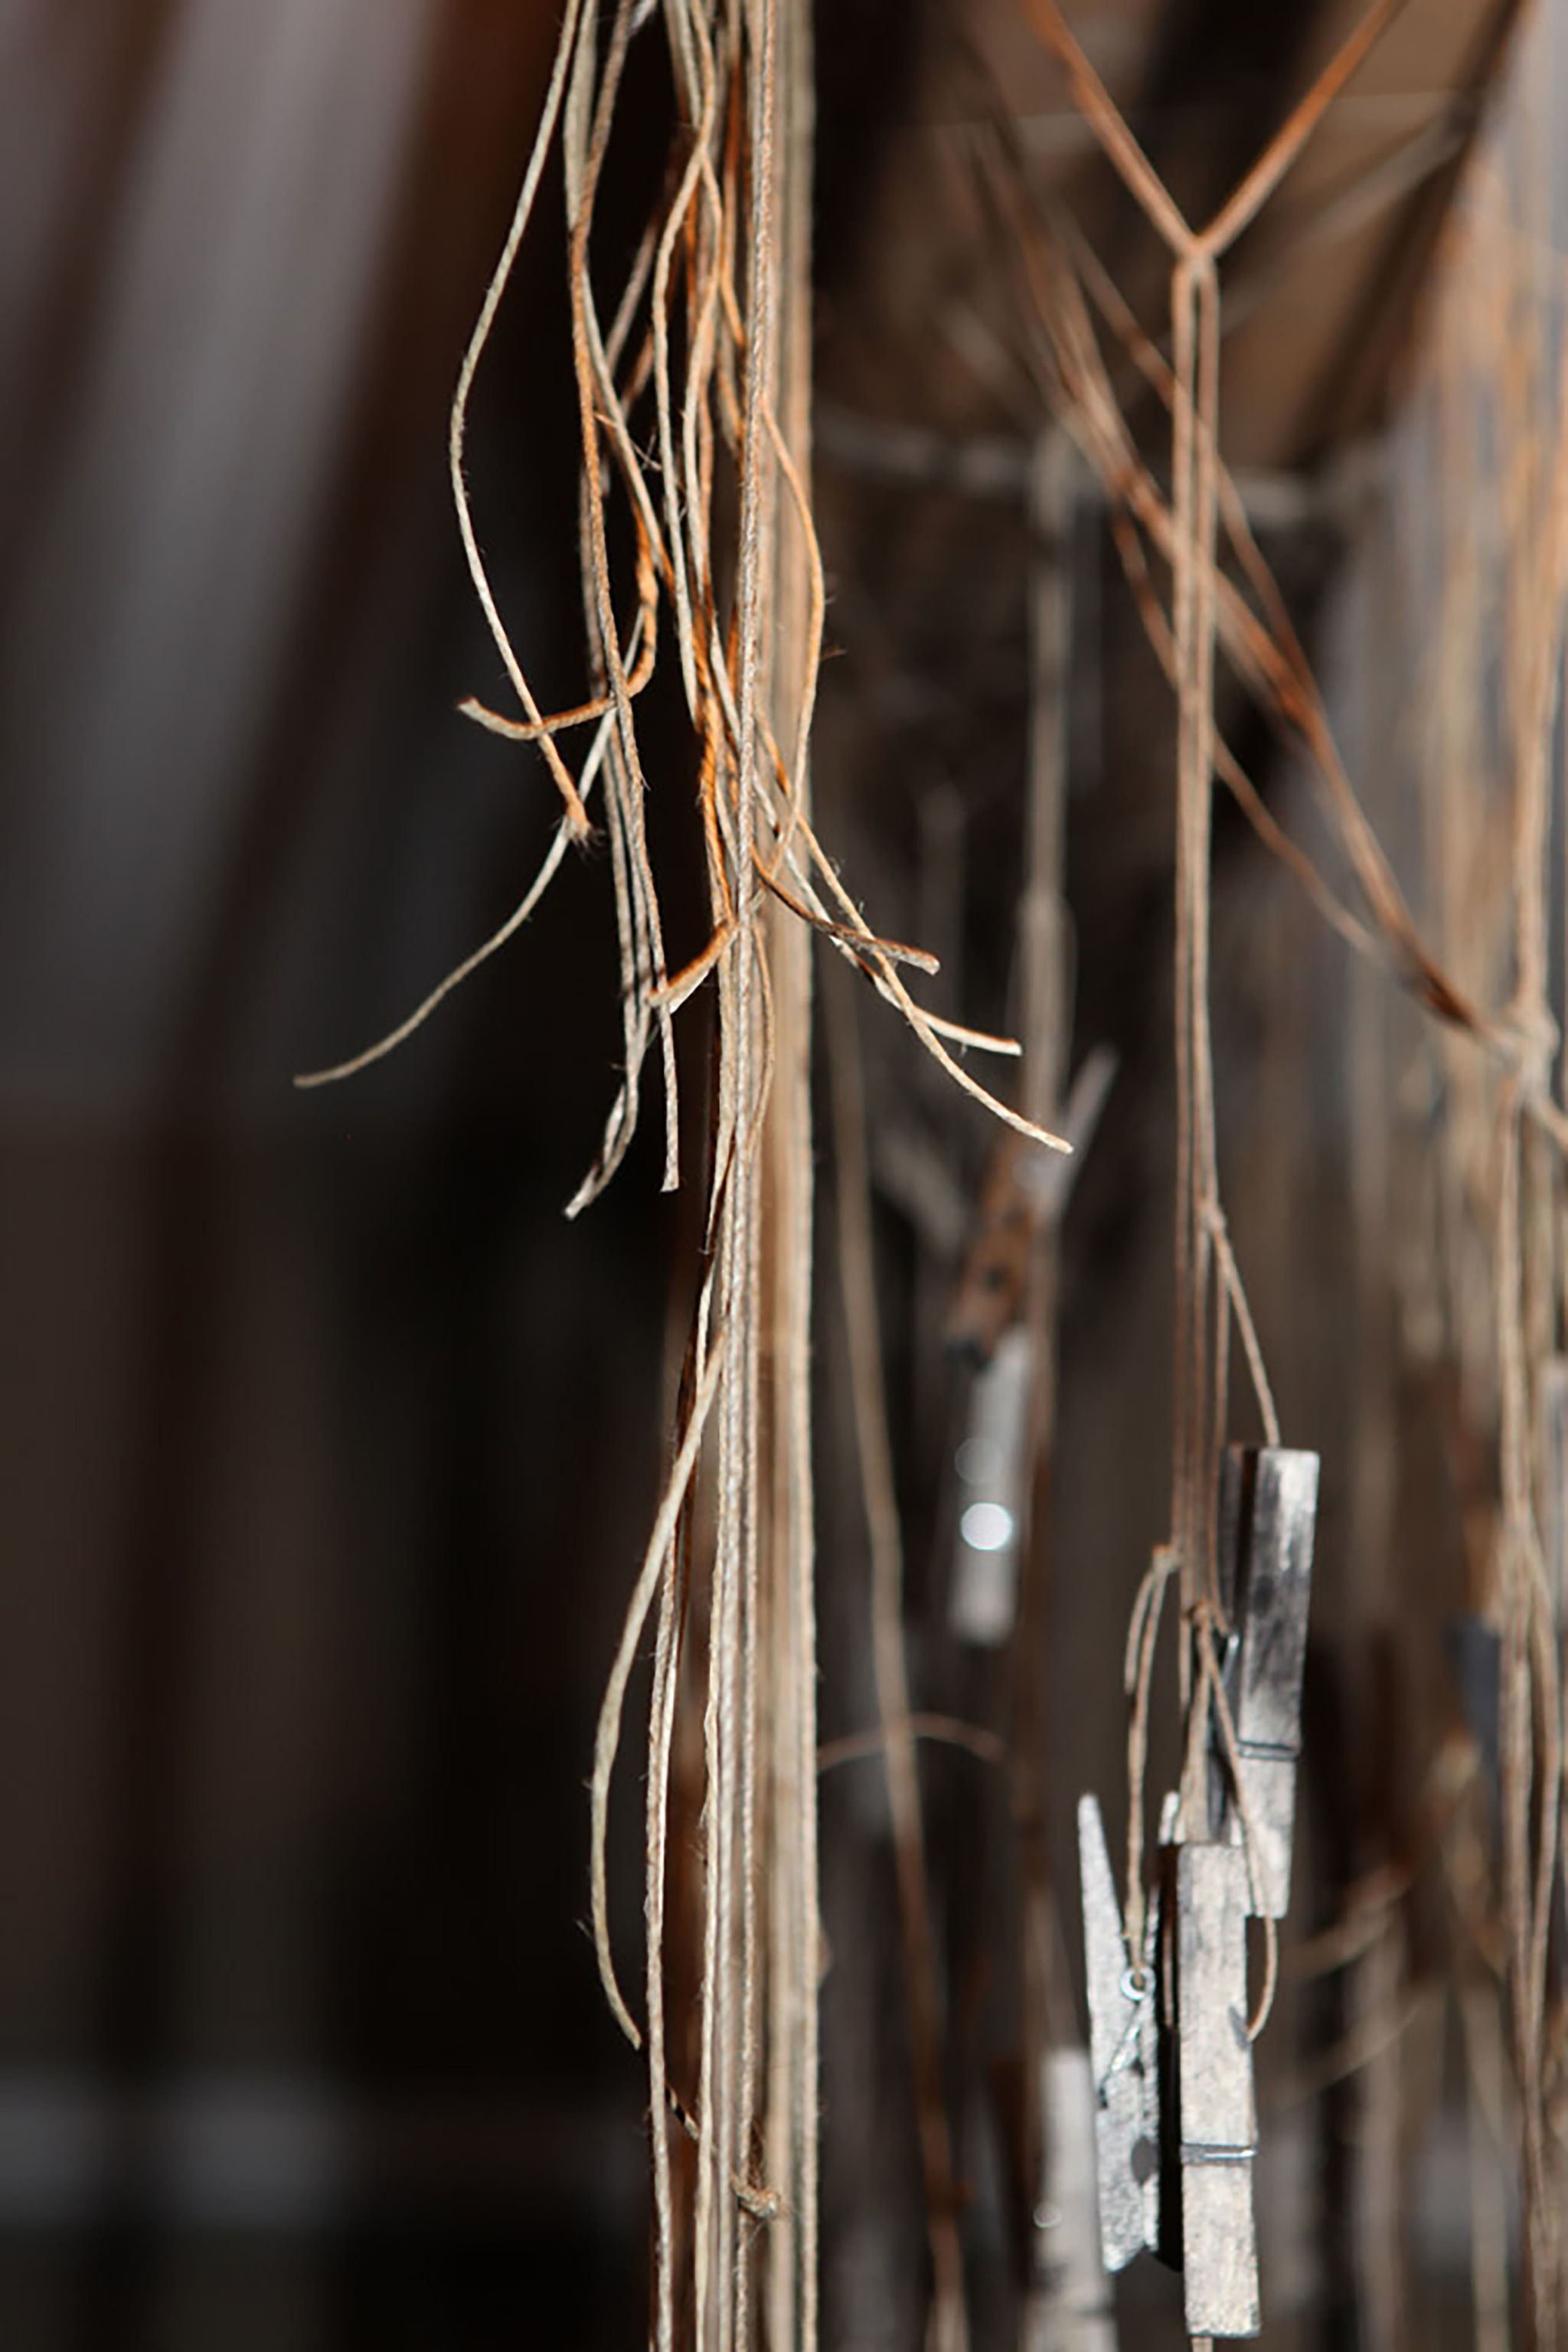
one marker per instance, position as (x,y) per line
(1123,2052)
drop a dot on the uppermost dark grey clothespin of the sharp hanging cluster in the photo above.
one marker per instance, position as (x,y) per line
(1268,1514)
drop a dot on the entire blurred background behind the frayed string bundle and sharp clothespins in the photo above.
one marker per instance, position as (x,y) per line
(330,1448)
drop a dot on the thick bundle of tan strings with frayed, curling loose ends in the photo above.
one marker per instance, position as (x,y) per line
(692,408)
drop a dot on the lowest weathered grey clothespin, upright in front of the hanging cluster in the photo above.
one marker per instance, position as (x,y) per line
(1219,2127)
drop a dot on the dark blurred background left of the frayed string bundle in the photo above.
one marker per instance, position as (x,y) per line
(328,1443)
